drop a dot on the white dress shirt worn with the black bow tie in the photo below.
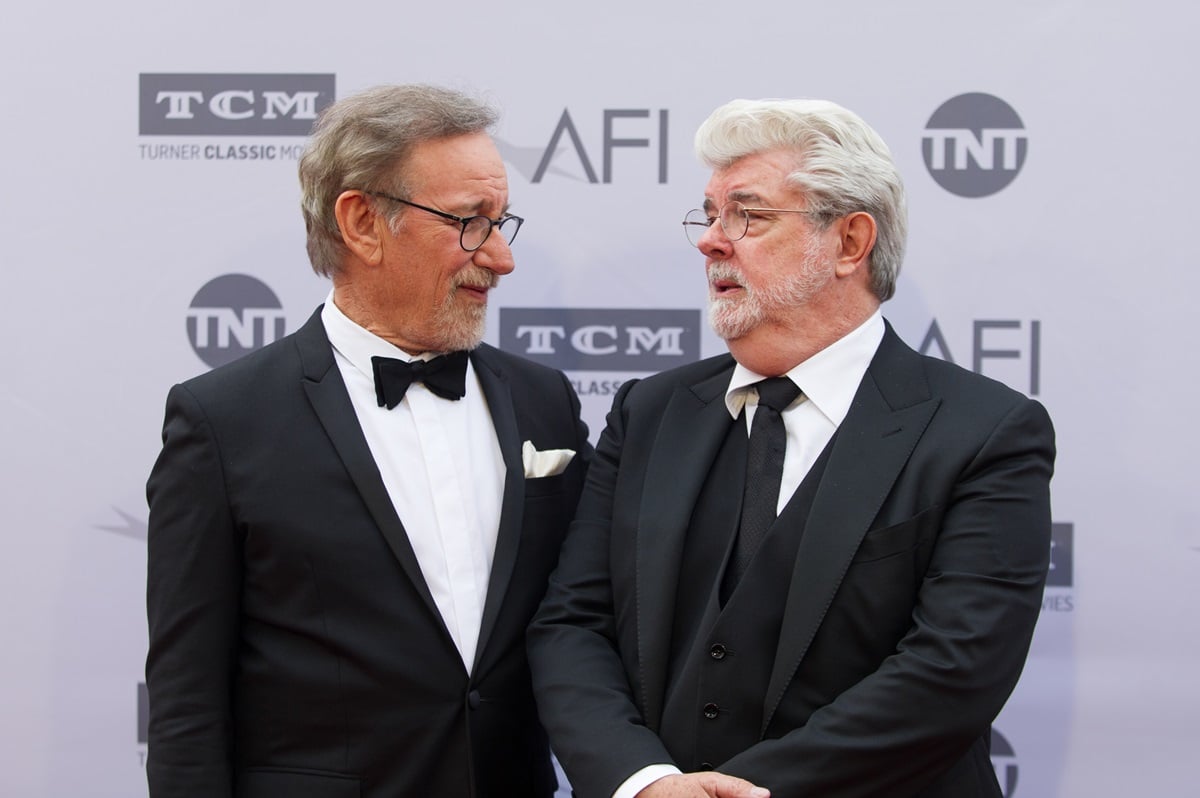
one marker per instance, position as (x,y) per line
(441,464)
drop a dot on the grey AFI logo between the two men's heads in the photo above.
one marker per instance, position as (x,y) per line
(566,153)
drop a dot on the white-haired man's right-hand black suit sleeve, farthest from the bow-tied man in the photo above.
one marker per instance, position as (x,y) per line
(915,717)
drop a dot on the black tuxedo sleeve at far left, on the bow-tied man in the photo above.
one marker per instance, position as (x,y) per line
(193,601)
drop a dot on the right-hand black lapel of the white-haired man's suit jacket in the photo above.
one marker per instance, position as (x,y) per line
(887,418)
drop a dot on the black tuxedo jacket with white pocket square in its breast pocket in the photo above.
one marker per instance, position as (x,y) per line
(295,646)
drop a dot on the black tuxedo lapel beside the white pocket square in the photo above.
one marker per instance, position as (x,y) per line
(508,538)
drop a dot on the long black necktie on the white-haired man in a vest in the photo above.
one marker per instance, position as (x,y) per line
(765,470)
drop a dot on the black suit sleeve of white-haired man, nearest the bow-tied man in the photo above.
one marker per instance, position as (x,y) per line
(584,695)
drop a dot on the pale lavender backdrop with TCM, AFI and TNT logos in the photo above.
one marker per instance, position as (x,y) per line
(152,231)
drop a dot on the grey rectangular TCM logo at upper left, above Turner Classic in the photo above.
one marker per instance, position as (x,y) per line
(232,105)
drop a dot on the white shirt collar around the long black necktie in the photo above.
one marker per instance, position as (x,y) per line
(830,379)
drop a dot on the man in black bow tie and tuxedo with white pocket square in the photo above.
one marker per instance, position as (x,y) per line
(351,529)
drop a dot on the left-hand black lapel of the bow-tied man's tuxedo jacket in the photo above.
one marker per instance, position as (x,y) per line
(327,393)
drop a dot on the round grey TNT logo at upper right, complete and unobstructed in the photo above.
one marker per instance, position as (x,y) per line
(975,146)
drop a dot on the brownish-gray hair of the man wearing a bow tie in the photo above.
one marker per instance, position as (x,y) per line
(363,142)
